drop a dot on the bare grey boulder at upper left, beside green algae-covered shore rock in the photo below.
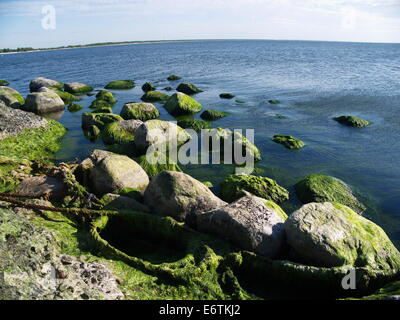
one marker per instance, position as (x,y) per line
(43,102)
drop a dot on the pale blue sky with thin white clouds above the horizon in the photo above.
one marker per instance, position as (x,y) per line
(42,24)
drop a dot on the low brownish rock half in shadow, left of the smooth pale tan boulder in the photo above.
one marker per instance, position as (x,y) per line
(42,186)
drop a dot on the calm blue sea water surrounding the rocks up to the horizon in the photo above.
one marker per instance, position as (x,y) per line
(314,80)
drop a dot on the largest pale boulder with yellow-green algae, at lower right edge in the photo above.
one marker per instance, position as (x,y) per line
(331,235)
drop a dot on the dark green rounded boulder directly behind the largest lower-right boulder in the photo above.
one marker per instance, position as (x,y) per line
(321,188)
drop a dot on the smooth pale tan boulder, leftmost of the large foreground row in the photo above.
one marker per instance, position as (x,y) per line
(106,172)
